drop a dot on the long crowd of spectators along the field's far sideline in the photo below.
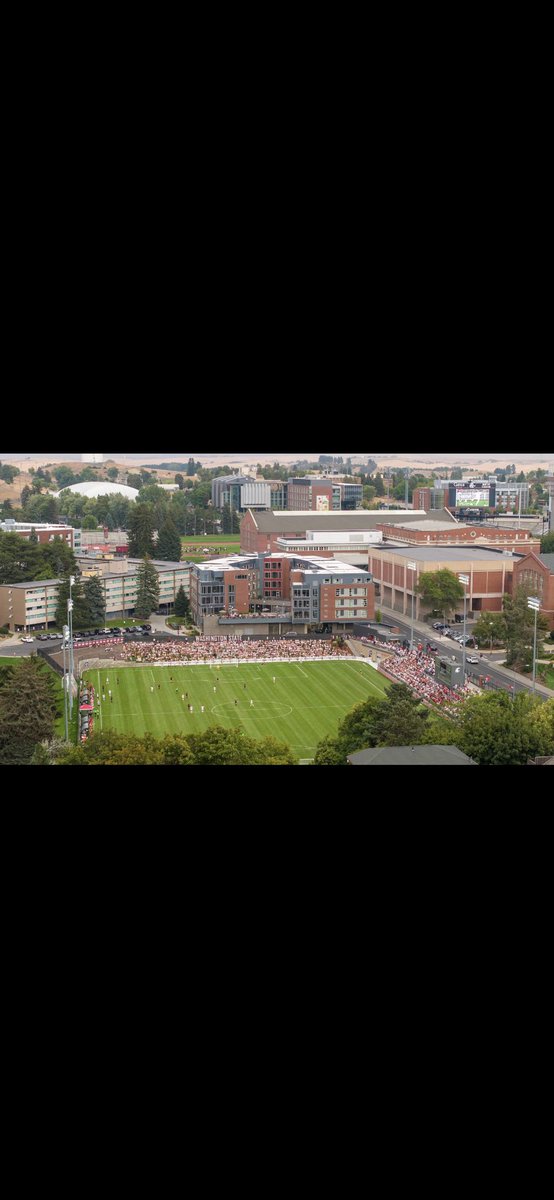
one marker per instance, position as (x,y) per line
(202,650)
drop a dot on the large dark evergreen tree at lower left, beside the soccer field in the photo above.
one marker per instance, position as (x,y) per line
(28,711)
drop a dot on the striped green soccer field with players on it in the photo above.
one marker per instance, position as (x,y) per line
(304,705)
